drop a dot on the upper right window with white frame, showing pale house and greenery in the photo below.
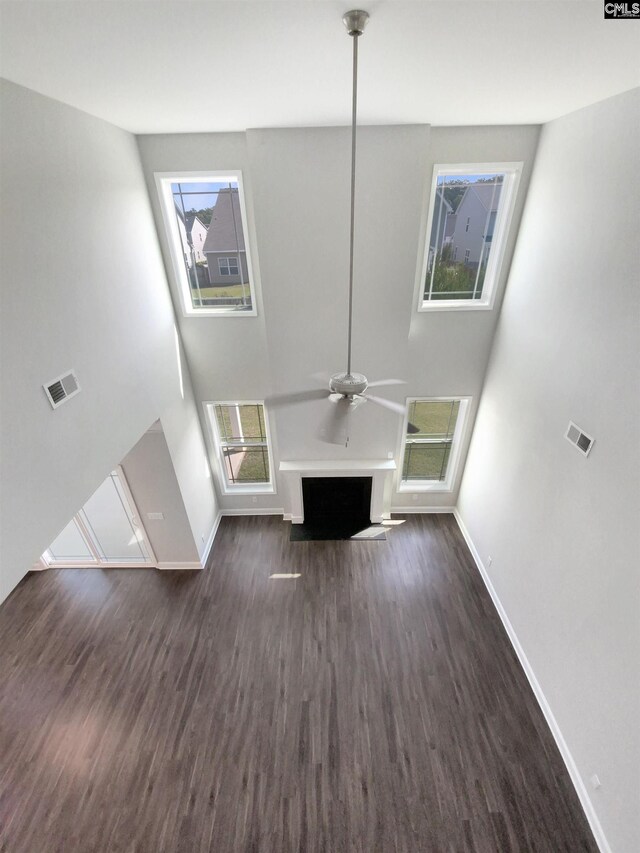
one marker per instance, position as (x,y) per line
(469,215)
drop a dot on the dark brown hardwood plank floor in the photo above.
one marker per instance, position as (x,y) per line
(374,704)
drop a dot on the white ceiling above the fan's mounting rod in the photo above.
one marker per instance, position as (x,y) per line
(154,67)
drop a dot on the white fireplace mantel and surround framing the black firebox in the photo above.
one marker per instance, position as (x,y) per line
(381,472)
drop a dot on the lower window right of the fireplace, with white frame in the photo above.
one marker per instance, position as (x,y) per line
(431,454)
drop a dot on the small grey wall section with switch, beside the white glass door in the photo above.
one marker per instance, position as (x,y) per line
(154,486)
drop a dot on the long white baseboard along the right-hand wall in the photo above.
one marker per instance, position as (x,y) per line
(568,759)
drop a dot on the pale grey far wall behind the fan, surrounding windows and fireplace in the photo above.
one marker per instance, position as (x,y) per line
(297,192)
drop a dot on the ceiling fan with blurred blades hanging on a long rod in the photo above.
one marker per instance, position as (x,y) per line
(346,390)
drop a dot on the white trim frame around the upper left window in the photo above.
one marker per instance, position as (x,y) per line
(163,184)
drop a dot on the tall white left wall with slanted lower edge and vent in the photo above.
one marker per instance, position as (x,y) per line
(83,287)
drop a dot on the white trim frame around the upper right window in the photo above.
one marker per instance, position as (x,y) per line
(513,171)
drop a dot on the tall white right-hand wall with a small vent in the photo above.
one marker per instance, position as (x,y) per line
(563,529)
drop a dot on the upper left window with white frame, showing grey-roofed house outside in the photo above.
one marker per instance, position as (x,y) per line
(206,226)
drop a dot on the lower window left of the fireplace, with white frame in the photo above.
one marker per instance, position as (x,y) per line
(241,437)
